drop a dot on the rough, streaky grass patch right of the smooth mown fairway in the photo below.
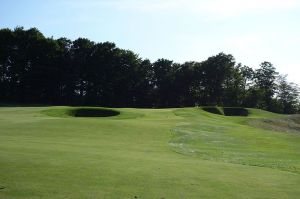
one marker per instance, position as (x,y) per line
(228,139)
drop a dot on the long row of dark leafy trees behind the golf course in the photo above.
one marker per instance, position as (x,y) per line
(39,70)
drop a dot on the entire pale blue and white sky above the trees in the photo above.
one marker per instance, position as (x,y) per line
(180,30)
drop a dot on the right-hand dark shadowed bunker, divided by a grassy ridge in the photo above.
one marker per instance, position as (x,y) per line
(227,111)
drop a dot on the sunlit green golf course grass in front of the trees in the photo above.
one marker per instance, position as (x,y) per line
(46,153)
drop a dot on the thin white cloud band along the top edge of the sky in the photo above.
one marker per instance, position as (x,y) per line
(207,8)
